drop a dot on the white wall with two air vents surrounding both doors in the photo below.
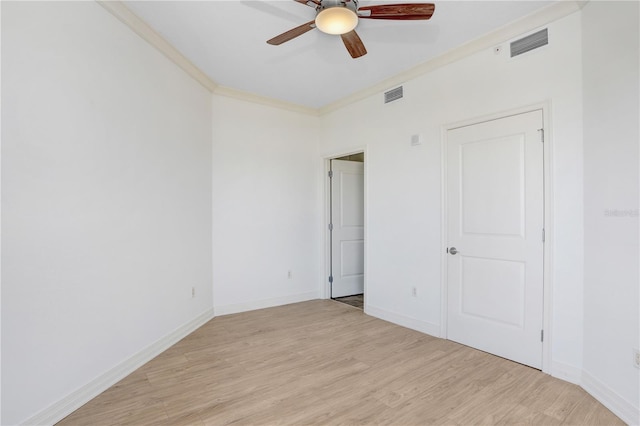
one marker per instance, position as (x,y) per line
(404,186)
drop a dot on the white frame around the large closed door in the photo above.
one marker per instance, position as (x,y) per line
(547,284)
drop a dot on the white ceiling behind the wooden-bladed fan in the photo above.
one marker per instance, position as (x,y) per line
(227,41)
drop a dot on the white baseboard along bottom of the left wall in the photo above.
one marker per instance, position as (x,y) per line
(75,400)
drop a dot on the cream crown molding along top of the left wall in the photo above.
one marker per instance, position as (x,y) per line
(125,15)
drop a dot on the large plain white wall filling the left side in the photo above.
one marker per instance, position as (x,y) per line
(106,199)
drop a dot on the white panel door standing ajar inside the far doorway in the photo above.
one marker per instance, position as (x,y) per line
(347,236)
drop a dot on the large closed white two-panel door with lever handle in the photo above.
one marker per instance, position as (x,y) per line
(495,216)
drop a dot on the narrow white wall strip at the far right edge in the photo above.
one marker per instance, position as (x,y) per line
(611,133)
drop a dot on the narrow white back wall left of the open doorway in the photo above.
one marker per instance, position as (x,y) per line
(266,216)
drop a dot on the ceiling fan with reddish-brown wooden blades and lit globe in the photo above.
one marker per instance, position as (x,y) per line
(340,17)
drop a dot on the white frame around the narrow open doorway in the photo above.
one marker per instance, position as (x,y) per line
(326,287)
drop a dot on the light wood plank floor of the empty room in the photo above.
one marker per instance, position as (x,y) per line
(324,362)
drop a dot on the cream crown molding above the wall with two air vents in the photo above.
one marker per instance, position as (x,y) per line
(528,23)
